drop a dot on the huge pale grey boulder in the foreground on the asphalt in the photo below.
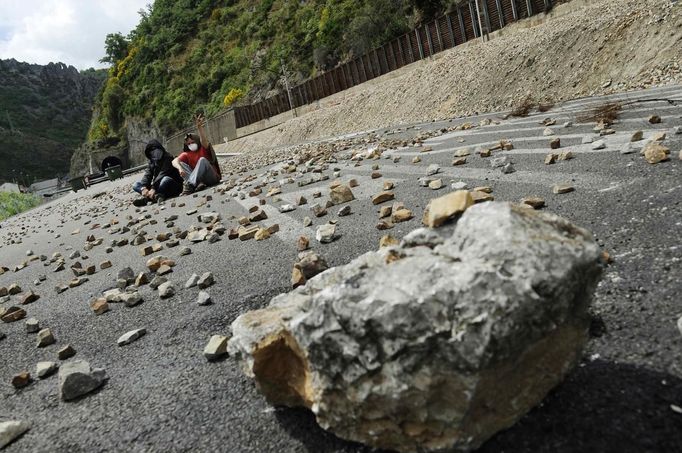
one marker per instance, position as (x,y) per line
(434,344)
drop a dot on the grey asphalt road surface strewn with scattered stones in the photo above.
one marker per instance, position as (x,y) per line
(162,394)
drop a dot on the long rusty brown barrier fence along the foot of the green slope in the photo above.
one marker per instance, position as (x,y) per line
(468,20)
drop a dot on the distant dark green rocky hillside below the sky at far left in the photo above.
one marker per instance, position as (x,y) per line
(44,115)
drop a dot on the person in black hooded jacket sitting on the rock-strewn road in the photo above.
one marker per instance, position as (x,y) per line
(161,180)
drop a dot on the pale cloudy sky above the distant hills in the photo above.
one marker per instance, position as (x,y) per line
(67,31)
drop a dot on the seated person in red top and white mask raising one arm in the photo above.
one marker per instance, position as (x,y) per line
(197,164)
